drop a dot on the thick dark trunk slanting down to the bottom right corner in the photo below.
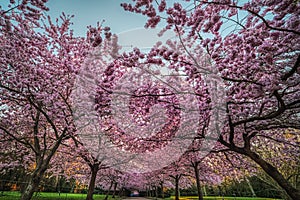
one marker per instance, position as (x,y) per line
(275,174)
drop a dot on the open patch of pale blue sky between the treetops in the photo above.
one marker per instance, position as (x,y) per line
(128,26)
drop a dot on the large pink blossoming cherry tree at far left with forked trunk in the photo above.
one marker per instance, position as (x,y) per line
(38,65)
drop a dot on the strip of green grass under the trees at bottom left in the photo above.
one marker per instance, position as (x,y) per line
(50,196)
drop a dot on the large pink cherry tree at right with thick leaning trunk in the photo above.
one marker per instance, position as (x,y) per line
(254,45)
